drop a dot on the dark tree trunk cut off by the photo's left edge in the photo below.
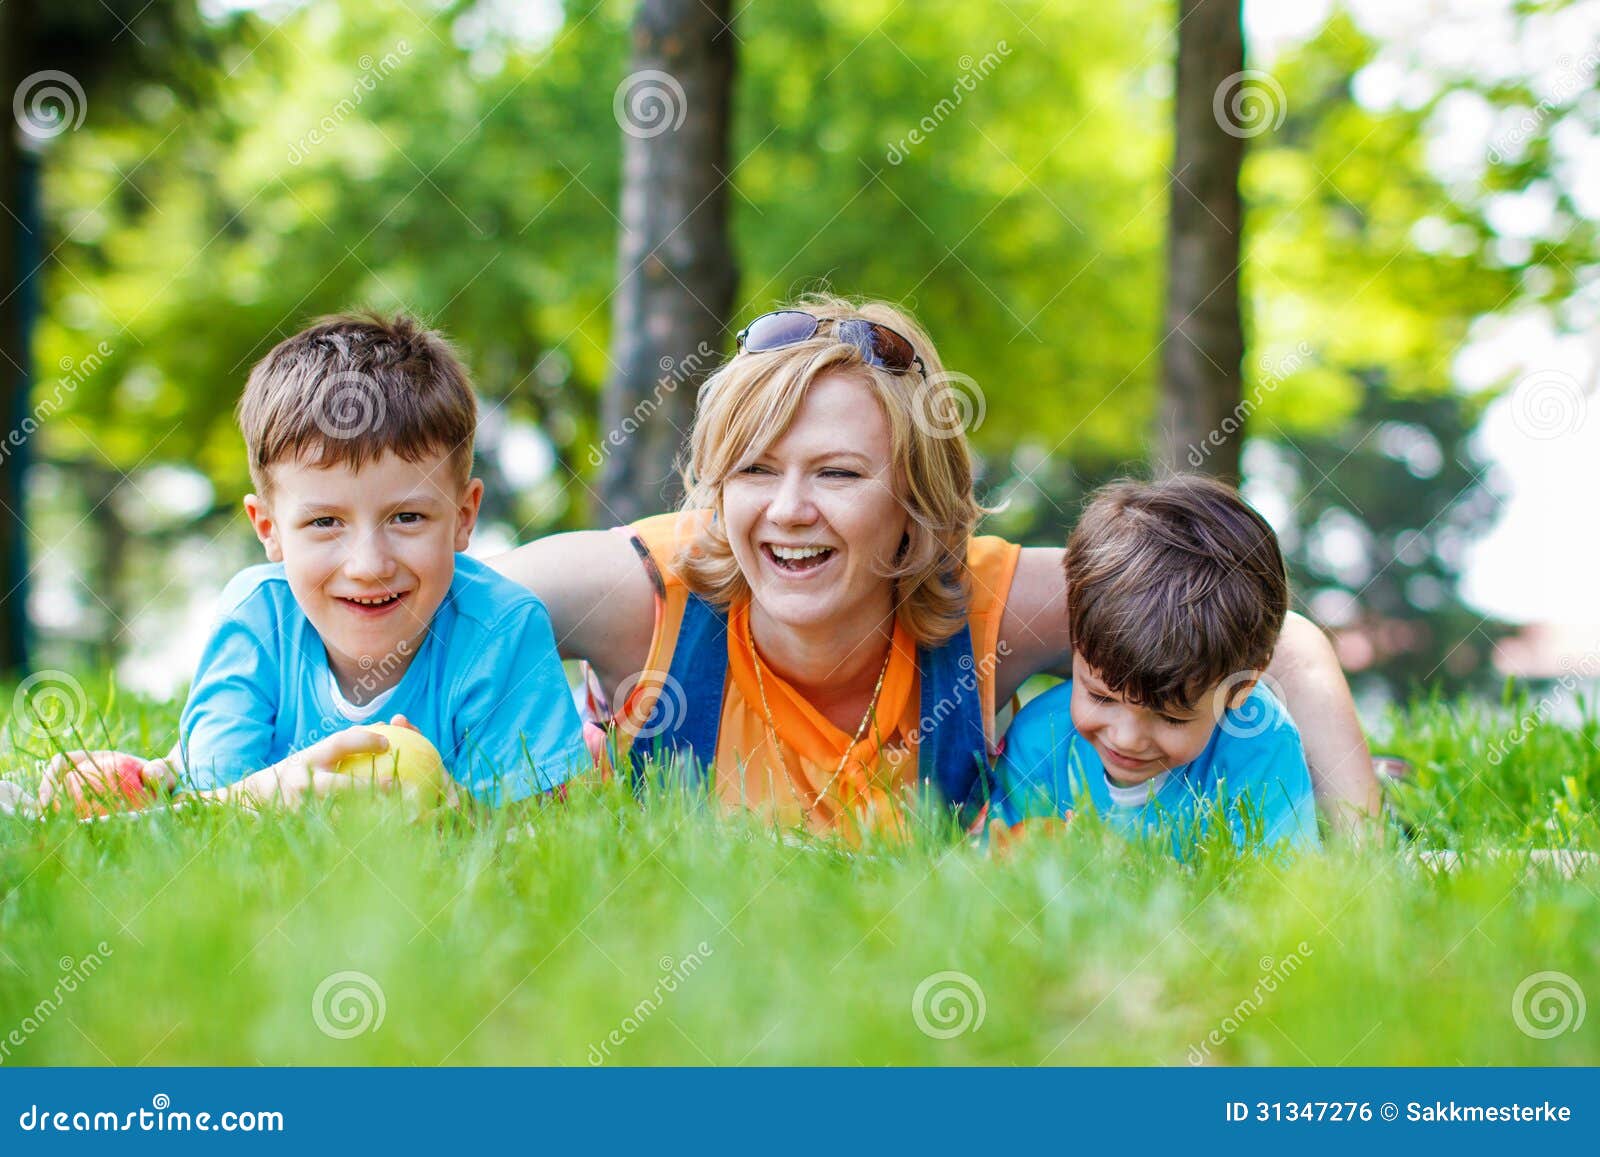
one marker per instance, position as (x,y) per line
(20,247)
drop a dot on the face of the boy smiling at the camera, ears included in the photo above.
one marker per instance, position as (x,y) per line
(369,554)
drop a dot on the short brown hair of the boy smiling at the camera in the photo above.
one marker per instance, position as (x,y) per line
(353,386)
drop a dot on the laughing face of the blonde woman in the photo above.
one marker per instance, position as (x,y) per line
(814,521)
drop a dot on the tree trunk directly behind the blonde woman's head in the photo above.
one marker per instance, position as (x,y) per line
(676,274)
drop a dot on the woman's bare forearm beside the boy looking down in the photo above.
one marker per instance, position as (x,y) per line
(1319,699)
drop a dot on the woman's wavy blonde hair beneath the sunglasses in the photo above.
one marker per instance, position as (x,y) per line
(753,401)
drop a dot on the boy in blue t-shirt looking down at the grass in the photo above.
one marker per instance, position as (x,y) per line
(1177,598)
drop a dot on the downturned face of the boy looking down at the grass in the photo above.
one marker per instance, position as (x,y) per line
(1138,743)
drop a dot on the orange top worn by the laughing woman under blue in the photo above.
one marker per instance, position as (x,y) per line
(798,783)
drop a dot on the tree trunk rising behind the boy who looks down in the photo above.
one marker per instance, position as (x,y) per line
(1204,335)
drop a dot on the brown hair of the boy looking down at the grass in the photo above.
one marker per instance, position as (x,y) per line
(1172,588)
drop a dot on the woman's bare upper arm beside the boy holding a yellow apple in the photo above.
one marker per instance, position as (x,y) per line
(598,595)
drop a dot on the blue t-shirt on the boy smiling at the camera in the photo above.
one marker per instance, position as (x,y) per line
(486,687)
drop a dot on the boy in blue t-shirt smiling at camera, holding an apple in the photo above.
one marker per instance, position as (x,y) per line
(361,450)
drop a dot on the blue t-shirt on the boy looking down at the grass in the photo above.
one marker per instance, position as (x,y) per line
(1254,767)
